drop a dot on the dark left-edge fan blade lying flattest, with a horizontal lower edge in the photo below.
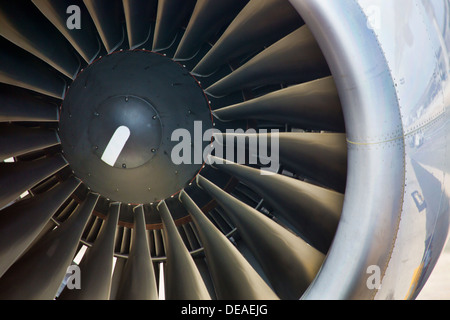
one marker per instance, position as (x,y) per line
(18,105)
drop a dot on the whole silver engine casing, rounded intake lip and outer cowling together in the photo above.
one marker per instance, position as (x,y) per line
(395,214)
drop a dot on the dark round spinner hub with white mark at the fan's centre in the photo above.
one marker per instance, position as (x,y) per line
(150,96)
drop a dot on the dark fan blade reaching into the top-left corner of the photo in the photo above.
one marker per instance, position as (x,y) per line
(26,28)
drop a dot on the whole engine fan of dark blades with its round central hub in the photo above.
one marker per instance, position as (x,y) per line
(91,94)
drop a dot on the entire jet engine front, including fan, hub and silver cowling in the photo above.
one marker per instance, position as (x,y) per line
(234,228)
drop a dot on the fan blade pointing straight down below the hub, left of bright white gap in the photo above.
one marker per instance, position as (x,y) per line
(138,280)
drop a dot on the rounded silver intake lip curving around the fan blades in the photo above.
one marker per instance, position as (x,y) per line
(369,223)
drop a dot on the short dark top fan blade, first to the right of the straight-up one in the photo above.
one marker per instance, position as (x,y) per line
(170,16)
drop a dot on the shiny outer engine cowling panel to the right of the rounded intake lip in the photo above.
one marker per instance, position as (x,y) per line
(423,90)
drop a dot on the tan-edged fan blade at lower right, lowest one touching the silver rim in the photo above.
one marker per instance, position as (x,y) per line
(289,263)
